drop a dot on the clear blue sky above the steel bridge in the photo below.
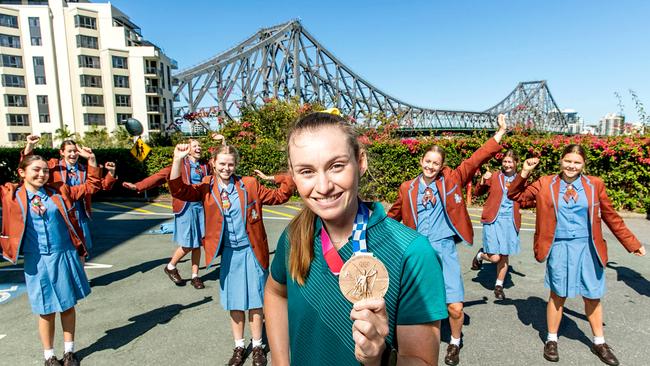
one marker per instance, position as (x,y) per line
(464,55)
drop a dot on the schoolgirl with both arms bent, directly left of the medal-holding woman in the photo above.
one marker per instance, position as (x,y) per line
(235,230)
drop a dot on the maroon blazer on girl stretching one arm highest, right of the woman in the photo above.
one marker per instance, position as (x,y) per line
(450,183)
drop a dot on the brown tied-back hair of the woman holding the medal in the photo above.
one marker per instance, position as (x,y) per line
(301,227)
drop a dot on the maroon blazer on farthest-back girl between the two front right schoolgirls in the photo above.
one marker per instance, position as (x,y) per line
(495,186)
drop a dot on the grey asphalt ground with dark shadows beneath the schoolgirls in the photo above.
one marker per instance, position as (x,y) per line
(136,316)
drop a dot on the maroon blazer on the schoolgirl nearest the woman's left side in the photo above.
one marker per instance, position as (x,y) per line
(252,195)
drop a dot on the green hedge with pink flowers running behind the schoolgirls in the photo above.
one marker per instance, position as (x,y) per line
(622,162)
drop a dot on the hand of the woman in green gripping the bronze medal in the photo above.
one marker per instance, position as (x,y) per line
(369,330)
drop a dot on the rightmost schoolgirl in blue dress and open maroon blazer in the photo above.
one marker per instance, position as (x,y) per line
(571,207)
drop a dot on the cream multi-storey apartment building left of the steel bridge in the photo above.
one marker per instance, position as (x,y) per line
(80,64)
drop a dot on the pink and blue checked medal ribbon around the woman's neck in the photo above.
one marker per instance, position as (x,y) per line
(331,255)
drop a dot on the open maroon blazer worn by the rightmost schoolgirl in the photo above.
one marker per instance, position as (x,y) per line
(546,190)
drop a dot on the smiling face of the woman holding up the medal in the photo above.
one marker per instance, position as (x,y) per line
(326,172)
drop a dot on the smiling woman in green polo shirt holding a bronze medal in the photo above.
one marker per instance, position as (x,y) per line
(309,321)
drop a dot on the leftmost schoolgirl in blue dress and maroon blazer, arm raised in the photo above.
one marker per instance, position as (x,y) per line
(39,221)
